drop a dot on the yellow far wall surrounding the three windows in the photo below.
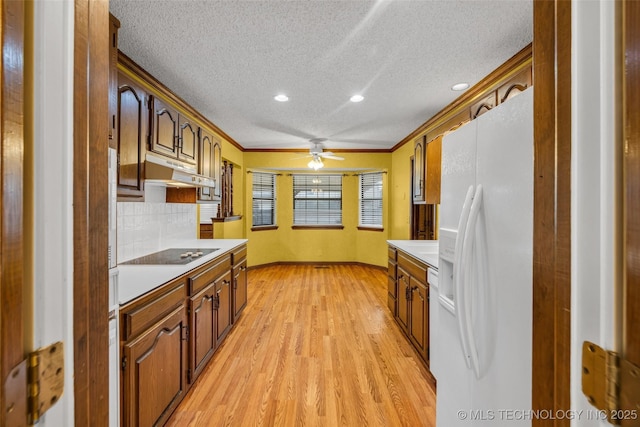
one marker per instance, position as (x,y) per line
(288,245)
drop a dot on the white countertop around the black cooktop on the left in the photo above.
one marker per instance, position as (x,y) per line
(136,280)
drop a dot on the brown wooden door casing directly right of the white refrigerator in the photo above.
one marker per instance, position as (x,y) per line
(552,209)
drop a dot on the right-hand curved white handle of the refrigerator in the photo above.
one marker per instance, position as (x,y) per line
(467,256)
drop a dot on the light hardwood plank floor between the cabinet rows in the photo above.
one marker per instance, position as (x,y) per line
(315,346)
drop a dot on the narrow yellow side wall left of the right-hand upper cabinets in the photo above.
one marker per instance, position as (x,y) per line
(401,192)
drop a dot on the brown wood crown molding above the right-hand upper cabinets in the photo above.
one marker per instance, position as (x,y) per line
(492,81)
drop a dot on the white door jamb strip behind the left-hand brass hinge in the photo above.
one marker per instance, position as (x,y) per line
(53,190)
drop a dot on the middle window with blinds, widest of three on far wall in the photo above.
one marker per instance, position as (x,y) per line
(317,199)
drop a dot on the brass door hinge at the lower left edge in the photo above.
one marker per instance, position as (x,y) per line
(34,385)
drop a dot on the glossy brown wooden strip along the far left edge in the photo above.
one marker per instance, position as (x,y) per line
(12,340)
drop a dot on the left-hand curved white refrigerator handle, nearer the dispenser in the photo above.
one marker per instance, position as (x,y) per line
(458,277)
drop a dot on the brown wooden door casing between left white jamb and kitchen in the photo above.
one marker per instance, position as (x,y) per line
(90,212)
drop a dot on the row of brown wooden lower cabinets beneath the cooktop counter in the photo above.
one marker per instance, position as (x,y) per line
(170,334)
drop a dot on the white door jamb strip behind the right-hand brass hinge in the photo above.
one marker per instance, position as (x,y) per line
(593,187)
